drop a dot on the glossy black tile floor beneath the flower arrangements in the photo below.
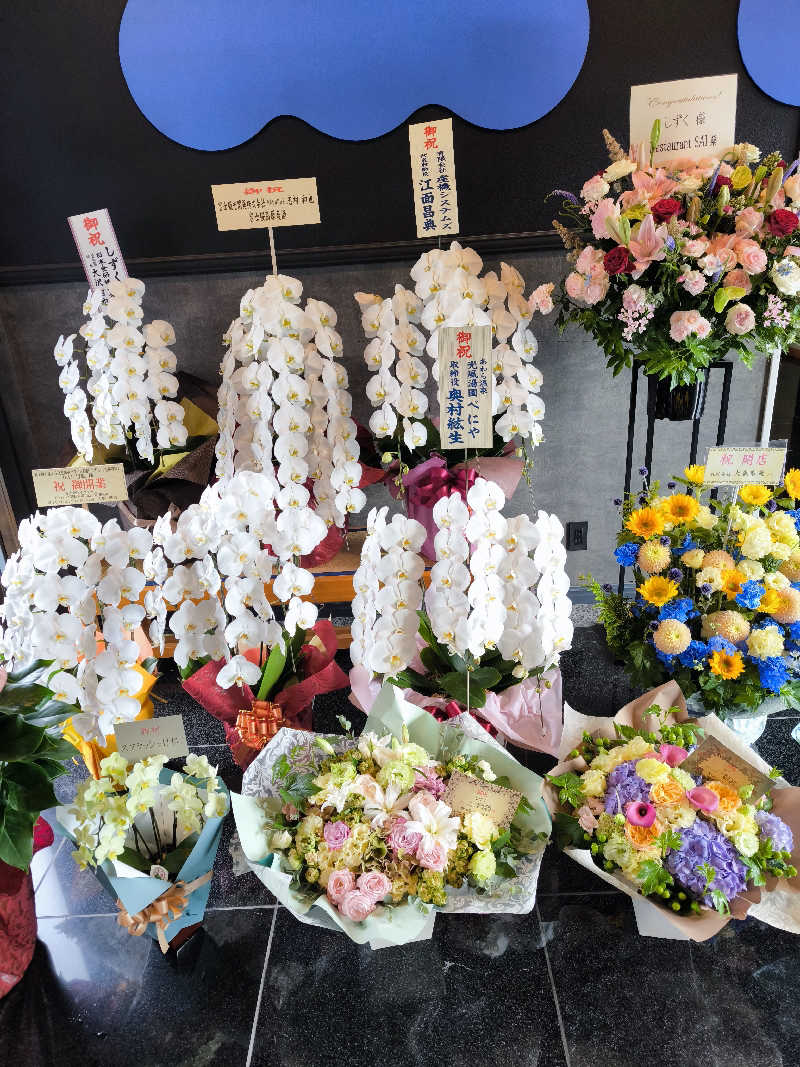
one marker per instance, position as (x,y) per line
(572,984)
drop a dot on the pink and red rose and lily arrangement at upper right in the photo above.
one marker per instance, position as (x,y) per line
(677,265)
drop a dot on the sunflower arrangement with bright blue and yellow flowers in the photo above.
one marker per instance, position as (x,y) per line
(717,603)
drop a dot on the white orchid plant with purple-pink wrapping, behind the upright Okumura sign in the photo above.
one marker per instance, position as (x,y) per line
(450,291)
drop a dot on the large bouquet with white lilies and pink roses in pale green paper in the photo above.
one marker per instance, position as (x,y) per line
(373,836)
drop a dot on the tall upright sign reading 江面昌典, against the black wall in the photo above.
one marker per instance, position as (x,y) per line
(434,178)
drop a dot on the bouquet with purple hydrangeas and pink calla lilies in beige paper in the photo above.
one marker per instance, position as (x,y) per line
(685,820)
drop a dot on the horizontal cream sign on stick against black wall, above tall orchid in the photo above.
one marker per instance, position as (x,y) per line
(258,205)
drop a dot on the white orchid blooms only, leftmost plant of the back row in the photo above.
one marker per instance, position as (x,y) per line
(129,387)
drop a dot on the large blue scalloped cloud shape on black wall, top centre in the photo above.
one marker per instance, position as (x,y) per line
(211,74)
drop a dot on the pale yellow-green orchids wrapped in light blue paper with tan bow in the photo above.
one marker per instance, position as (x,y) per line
(151,836)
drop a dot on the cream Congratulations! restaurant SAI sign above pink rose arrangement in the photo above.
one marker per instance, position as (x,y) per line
(698,117)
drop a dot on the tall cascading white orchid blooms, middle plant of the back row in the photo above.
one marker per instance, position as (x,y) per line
(284,400)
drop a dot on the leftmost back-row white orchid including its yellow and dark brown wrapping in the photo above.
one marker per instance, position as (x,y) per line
(132,391)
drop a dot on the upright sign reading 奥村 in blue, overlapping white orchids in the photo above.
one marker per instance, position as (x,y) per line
(466,387)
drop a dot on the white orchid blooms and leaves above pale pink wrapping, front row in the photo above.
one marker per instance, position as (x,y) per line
(497,611)
